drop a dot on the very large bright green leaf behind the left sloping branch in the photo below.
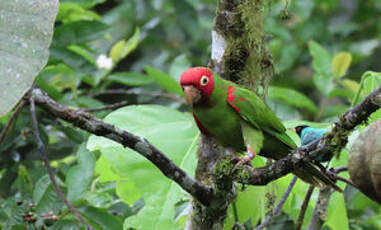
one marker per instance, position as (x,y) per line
(172,132)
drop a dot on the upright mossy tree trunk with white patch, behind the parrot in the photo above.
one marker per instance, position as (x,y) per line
(238,54)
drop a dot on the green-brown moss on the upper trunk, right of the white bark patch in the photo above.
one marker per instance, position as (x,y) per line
(246,59)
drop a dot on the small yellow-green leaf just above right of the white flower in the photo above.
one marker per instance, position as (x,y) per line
(123,48)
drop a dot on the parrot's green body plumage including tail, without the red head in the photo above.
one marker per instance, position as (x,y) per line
(245,119)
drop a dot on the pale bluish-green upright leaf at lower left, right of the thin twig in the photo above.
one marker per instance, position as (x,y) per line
(79,177)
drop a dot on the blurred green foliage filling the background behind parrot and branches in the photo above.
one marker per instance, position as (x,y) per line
(326,56)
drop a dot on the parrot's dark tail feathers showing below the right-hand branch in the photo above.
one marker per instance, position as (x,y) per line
(310,174)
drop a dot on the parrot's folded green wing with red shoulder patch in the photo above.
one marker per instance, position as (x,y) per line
(255,112)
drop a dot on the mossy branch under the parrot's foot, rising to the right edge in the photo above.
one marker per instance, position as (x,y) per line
(333,141)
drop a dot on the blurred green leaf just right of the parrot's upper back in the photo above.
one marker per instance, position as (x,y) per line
(292,97)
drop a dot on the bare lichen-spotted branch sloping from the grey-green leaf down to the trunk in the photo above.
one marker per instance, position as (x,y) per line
(96,126)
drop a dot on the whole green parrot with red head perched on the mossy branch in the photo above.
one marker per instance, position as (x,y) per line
(238,119)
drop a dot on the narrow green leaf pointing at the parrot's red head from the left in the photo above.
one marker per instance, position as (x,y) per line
(164,80)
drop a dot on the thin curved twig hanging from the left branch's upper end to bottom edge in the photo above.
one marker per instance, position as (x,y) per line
(44,156)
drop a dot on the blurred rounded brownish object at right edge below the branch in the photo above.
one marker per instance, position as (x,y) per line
(364,163)
